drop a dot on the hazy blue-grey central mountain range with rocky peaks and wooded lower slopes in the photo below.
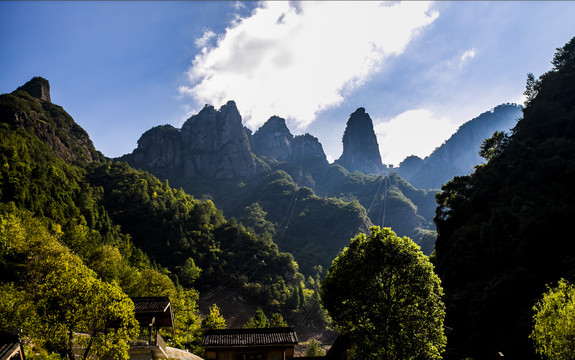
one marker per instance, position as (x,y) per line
(289,191)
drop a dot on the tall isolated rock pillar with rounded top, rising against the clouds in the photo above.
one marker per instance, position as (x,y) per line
(360,147)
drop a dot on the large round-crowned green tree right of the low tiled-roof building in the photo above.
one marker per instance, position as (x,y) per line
(382,291)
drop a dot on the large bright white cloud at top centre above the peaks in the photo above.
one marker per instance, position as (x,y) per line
(297,61)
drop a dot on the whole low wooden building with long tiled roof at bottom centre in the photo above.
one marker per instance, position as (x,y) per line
(250,344)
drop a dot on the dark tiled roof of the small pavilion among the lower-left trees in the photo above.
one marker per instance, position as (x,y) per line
(154,309)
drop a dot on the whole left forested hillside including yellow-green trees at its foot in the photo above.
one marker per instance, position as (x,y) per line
(67,212)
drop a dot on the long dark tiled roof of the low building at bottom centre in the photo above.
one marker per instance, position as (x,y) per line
(249,337)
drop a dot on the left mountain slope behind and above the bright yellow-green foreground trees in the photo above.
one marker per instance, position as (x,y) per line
(124,222)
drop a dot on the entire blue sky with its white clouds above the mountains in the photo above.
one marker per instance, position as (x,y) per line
(420,69)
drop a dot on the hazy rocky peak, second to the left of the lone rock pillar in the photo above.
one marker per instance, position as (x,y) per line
(273,139)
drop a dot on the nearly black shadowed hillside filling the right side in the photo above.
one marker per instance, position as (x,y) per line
(504,231)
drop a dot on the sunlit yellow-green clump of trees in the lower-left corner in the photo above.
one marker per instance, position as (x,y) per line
(65,306)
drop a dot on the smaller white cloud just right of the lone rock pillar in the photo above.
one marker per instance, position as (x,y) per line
(414,132)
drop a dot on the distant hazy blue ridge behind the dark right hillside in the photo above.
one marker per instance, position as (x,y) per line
(460,153)
